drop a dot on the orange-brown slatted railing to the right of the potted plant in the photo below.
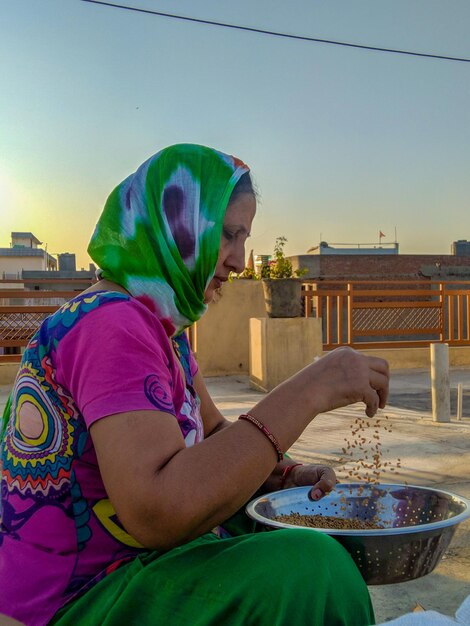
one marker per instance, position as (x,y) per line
(376,314)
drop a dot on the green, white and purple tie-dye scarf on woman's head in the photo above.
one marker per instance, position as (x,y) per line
(159,233)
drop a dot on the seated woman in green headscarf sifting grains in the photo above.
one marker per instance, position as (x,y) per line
(121,479)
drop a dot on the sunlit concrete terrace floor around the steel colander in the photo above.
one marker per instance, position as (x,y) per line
(431,454)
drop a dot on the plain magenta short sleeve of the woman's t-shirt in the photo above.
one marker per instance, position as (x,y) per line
(118,359)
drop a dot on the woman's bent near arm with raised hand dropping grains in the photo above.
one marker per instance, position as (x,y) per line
(166,494)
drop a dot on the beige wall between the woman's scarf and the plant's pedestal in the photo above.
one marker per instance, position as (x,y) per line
(221,336)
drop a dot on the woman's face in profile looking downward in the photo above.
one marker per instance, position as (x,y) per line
(235,231)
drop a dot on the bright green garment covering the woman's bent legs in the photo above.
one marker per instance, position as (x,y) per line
(276,578)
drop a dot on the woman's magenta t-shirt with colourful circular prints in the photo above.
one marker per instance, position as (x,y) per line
(100,354)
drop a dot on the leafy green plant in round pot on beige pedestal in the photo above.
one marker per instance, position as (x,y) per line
(281,284)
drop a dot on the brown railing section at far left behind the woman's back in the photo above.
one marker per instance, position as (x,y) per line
(23,310)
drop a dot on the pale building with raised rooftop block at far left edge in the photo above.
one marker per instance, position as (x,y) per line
(24,254)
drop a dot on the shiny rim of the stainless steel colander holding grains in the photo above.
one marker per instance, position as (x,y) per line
(428,527)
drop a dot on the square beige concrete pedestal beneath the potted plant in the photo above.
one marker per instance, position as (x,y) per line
(280,347)
